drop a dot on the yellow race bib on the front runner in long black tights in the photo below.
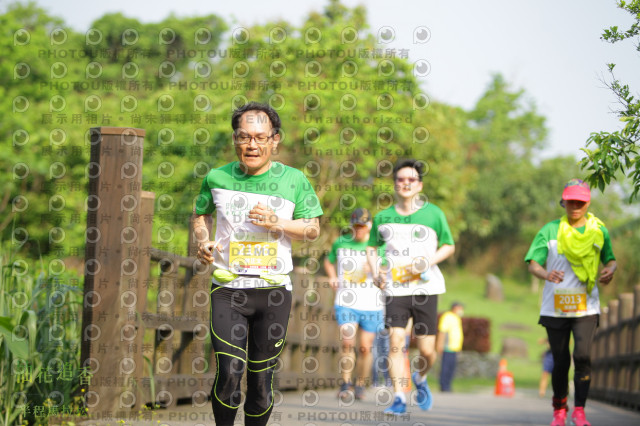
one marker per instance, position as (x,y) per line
(254,255)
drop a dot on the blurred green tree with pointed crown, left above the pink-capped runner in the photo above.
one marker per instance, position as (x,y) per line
(504,130)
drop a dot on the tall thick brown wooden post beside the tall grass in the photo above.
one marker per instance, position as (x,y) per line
(111,267)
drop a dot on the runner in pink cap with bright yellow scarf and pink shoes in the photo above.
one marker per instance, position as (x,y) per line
(571,249)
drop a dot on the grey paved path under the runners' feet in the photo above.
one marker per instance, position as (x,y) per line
(322,408)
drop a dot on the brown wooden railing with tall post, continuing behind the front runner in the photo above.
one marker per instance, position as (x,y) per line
(138,354)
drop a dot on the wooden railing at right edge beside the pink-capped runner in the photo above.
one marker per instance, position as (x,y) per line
(616,353)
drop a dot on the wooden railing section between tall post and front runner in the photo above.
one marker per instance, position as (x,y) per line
(178,327)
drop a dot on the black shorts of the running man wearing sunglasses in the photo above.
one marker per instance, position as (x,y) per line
(423,308)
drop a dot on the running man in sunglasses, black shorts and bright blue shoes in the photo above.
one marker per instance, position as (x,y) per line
(417,237)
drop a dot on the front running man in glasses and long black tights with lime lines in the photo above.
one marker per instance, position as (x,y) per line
(261,206)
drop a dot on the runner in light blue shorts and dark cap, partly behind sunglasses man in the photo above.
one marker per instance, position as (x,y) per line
(357,303)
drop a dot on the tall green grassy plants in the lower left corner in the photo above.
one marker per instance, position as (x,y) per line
(39,344)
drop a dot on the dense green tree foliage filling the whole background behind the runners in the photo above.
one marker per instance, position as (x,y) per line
(349,108)
